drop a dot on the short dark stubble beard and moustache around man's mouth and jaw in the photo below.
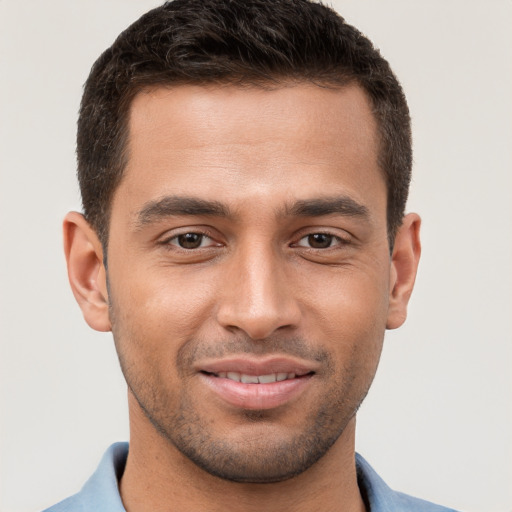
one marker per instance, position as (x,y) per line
(266,457)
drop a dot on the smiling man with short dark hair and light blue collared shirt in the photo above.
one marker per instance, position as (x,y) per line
(244,169)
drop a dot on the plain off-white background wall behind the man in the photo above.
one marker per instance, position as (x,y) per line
(438,421)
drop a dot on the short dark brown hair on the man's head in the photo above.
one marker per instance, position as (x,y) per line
(245,42)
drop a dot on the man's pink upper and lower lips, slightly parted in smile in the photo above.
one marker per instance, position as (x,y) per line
(257,396)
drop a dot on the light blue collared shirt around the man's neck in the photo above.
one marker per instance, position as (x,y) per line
(101,493)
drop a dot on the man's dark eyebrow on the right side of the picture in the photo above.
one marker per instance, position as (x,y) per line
(340,205)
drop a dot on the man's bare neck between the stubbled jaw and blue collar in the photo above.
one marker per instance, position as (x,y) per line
(159,478)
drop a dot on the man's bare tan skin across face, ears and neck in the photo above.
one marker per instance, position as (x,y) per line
(271,277)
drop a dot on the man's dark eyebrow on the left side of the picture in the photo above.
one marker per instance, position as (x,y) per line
(178,205)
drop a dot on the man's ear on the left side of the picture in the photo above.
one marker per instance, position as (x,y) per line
(86,272)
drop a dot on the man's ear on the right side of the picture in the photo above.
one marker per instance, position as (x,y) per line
(404,265)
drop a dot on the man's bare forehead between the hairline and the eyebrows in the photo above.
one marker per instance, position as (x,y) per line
(234,143)
